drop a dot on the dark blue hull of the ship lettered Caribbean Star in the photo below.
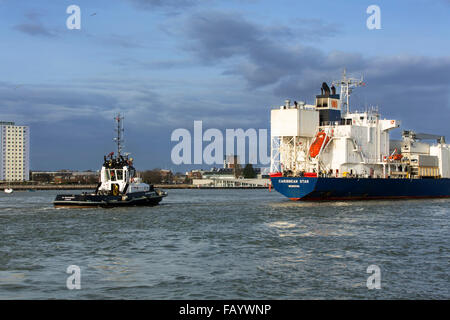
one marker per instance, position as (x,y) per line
(306,188)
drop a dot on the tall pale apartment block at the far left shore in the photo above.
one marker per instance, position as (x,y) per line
(14,152)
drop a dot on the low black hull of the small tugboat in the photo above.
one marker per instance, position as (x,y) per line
(108,201)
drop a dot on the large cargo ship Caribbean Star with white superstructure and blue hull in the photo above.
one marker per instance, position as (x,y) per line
(326,151)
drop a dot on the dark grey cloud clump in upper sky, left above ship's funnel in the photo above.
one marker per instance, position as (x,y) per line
(263,55)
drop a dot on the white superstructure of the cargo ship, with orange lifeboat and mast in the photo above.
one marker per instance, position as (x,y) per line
(327,139)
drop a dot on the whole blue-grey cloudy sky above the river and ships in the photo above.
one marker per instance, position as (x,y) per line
(166,63)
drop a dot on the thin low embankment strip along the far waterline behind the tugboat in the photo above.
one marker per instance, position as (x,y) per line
(93,186)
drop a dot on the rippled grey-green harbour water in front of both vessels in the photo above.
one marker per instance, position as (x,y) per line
(224,244)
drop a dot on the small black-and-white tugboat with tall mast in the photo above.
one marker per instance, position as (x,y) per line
(119,186)
